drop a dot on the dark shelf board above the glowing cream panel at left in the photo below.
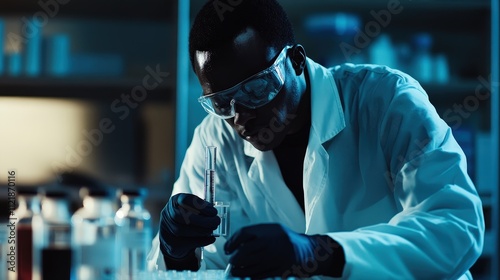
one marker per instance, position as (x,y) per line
(96,88)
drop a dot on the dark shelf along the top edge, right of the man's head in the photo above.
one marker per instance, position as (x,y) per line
(465,16)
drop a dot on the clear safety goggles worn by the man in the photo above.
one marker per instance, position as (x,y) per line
(253,92)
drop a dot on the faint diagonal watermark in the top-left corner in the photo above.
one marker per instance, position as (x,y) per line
(31,27)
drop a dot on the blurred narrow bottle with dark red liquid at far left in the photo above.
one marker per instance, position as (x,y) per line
(29,207)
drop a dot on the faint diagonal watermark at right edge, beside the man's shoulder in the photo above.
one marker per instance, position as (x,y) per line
(461,111)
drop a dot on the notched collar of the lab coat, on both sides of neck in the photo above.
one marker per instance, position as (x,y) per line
(325,103)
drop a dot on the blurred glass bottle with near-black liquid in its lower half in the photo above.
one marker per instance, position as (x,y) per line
(53,250)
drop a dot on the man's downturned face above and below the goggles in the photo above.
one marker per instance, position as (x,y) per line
(264,127)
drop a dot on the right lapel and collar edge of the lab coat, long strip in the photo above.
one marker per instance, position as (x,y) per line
(327,120)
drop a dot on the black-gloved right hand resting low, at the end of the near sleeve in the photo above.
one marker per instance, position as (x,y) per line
(272,250)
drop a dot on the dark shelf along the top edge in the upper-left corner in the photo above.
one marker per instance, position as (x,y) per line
(126,9)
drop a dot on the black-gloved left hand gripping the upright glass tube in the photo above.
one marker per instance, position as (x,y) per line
(186,223)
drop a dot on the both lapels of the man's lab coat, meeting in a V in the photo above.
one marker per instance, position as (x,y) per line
(267,193)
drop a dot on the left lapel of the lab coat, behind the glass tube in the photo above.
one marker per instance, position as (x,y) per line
(268,194)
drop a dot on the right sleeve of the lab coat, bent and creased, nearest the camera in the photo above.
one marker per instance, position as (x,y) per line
(438,233)
